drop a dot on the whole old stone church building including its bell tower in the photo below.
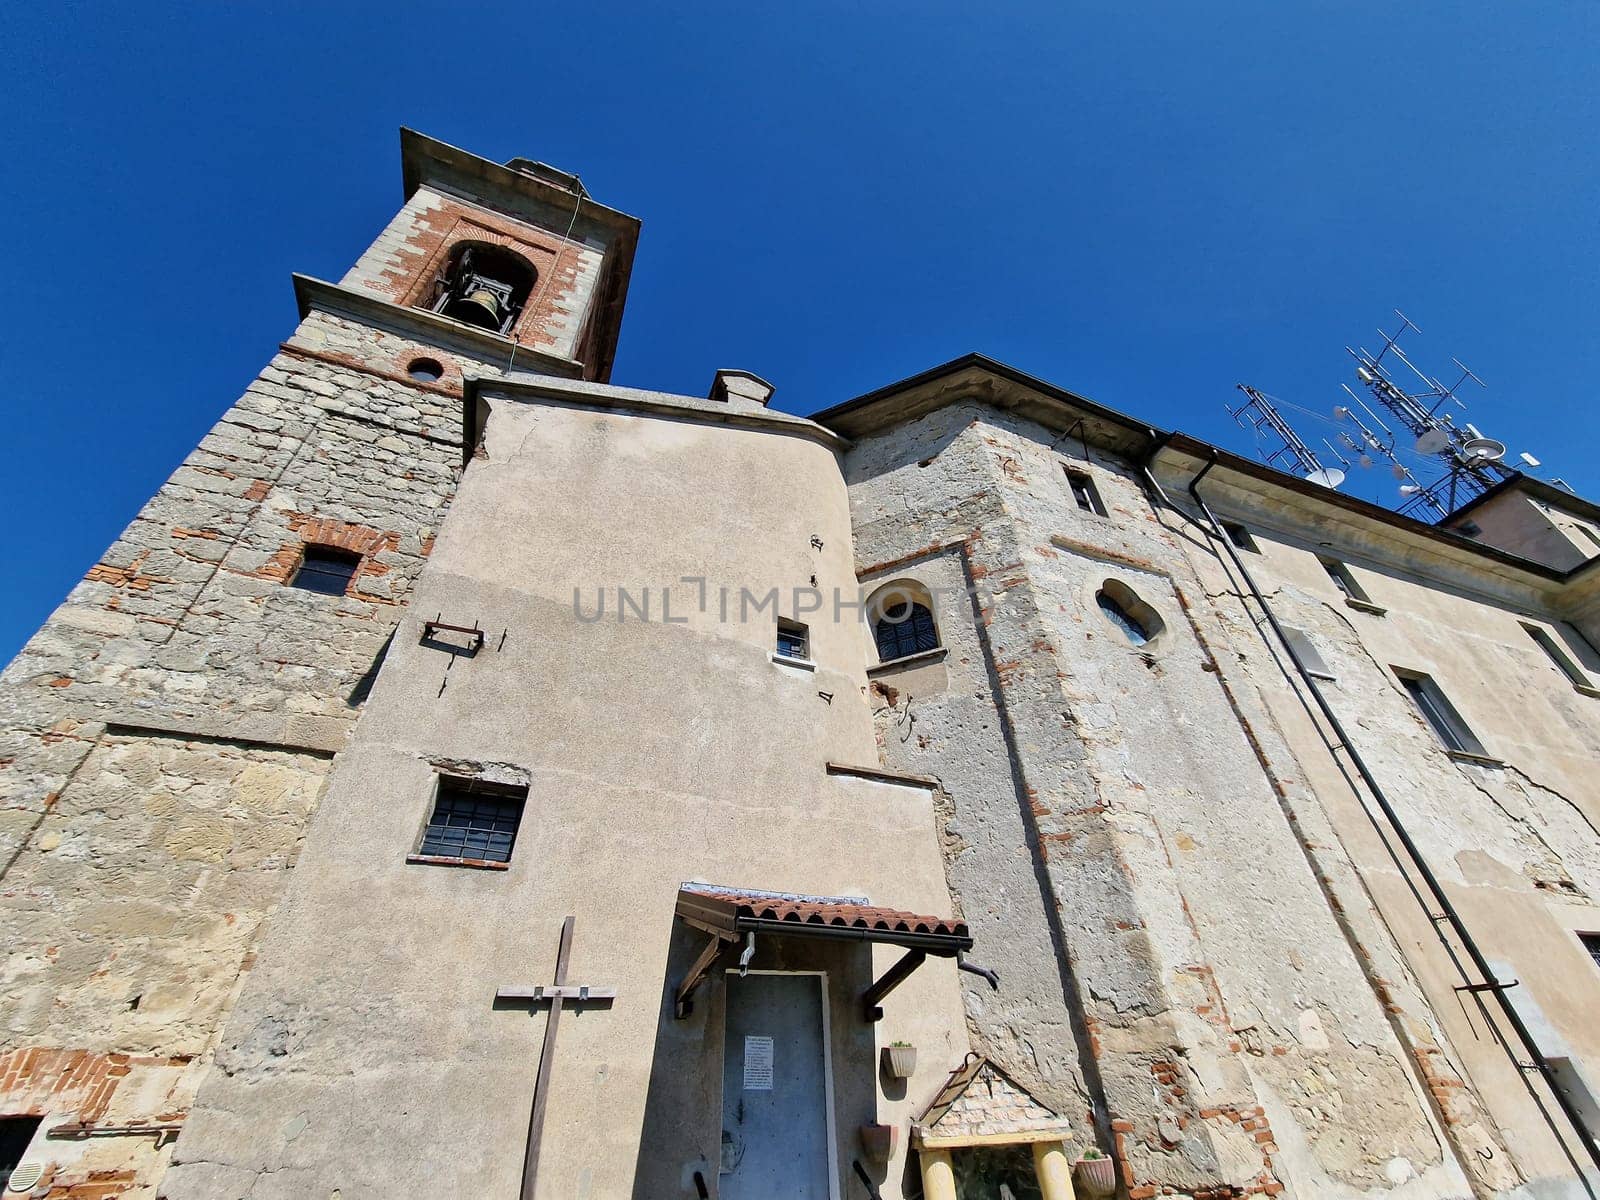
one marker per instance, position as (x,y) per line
(471,778)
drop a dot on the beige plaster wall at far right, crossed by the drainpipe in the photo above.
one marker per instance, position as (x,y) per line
(1513,841)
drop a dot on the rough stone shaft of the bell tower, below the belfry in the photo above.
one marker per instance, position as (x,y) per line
(169,730)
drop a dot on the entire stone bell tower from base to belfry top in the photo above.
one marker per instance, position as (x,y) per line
(177,716)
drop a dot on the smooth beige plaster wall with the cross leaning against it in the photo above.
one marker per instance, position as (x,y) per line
(657,753)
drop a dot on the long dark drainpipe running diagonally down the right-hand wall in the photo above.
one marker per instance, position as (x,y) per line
(1414,852)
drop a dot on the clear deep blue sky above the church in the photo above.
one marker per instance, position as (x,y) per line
(1146,204)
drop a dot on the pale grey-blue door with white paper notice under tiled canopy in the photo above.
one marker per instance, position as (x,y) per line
(775,1095)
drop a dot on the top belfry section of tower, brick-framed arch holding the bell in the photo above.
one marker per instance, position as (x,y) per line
(514,266)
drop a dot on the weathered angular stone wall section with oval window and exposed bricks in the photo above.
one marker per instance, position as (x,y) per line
(1207,998)
